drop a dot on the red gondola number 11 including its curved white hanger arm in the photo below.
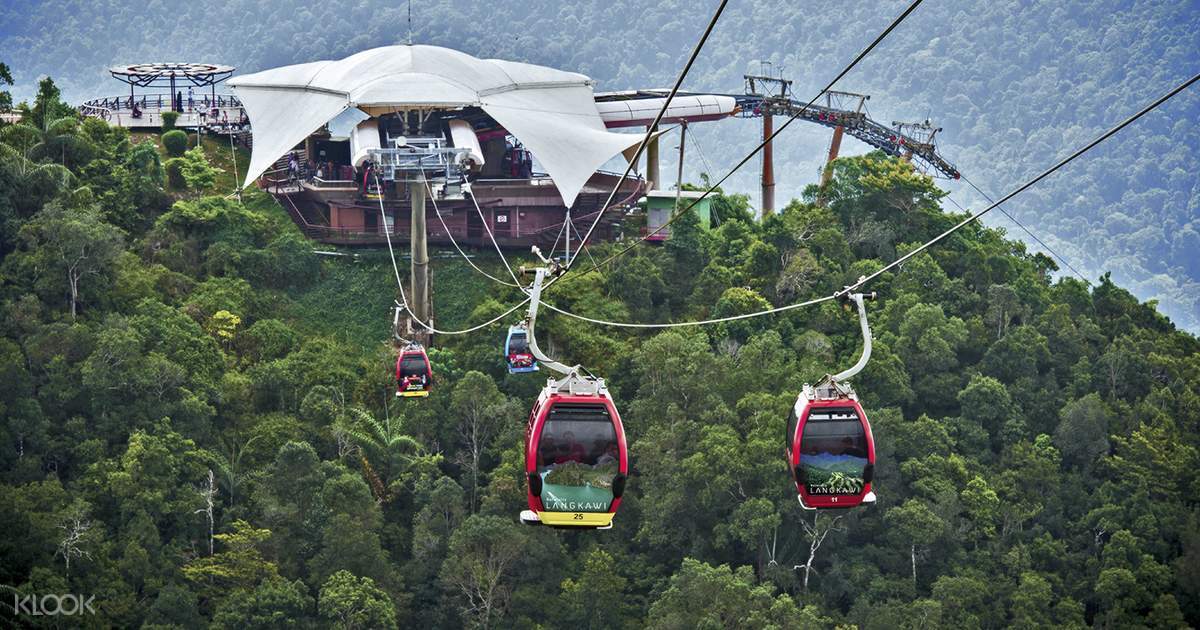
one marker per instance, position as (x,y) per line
(831,451)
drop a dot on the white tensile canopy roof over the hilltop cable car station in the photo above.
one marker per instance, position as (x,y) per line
(551,112)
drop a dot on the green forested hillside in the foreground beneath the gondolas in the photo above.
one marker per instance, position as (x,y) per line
(199,427)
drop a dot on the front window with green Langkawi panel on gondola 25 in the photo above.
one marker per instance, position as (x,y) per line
(578,459)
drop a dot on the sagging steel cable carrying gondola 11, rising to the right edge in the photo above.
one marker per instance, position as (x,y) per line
(901,261)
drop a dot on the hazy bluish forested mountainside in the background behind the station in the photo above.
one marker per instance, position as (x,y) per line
(1016,85)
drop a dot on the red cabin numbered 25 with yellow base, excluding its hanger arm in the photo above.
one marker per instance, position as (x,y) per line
(577,460)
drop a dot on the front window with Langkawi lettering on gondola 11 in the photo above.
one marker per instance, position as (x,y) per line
(835,452)
